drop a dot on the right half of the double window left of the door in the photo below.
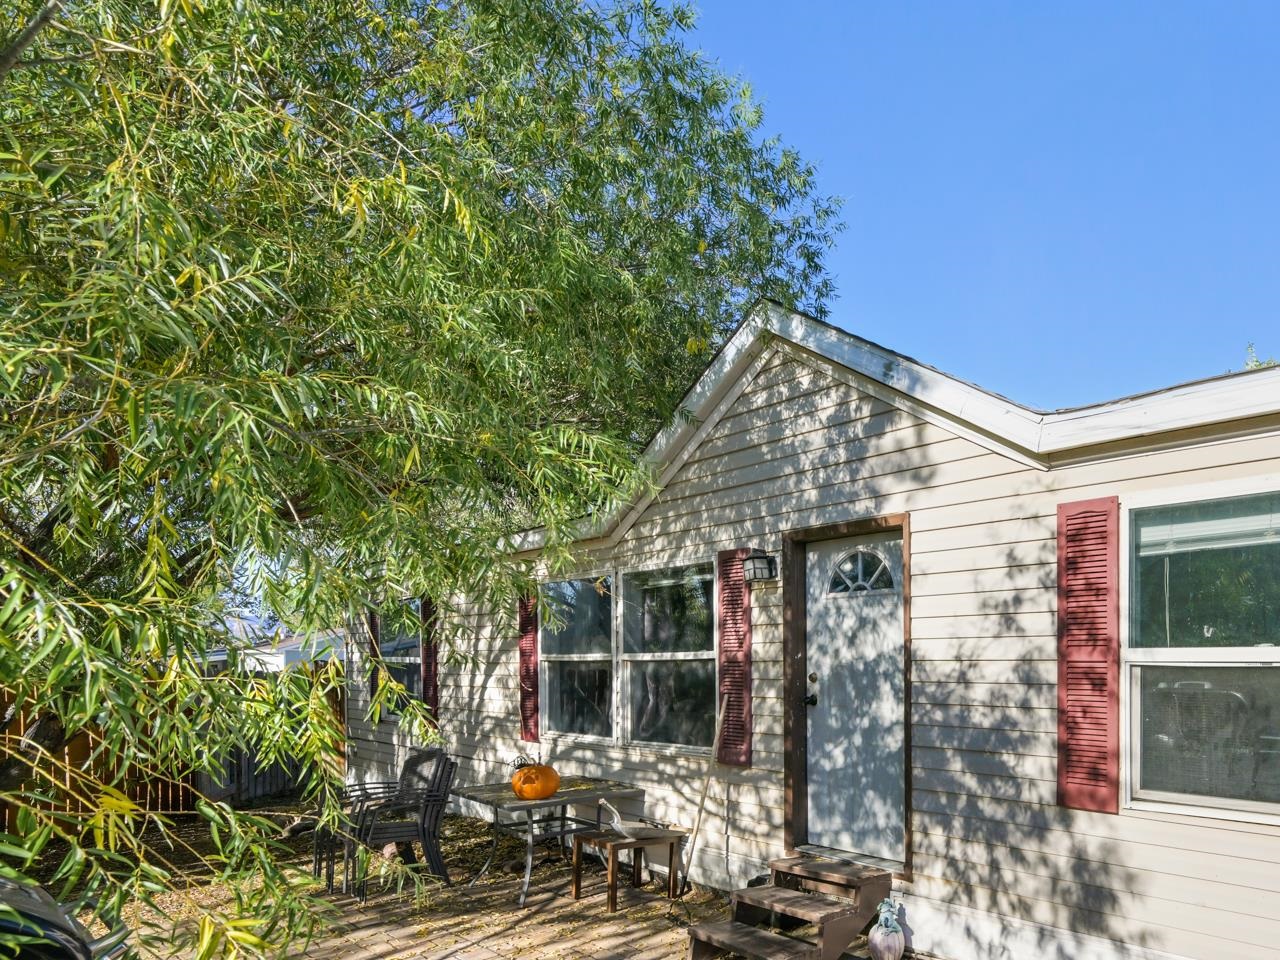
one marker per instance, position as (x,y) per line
(669,653)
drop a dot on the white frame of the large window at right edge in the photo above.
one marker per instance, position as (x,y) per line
(1132,659)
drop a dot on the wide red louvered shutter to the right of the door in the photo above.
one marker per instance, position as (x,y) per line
(1089,655)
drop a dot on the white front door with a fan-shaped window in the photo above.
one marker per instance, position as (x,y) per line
(856,685)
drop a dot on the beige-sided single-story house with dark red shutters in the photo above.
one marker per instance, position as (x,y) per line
(1031,661)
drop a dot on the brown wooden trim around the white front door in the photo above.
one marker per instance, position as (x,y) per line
(794,669)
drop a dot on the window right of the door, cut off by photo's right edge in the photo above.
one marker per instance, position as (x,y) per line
(1204,652)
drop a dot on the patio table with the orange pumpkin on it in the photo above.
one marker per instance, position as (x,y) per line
(541,821)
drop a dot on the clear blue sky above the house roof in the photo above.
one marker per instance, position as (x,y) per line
(1064,203)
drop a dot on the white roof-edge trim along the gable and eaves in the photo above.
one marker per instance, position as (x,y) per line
(1035,437)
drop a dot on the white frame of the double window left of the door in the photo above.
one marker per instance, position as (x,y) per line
(621,737)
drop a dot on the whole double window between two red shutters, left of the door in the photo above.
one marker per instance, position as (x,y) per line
(644,676)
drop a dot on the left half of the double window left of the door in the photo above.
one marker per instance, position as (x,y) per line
(578,650)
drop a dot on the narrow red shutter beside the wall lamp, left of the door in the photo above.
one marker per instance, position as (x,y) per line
(735,657)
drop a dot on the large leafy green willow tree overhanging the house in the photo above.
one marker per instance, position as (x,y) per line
(317,303)
